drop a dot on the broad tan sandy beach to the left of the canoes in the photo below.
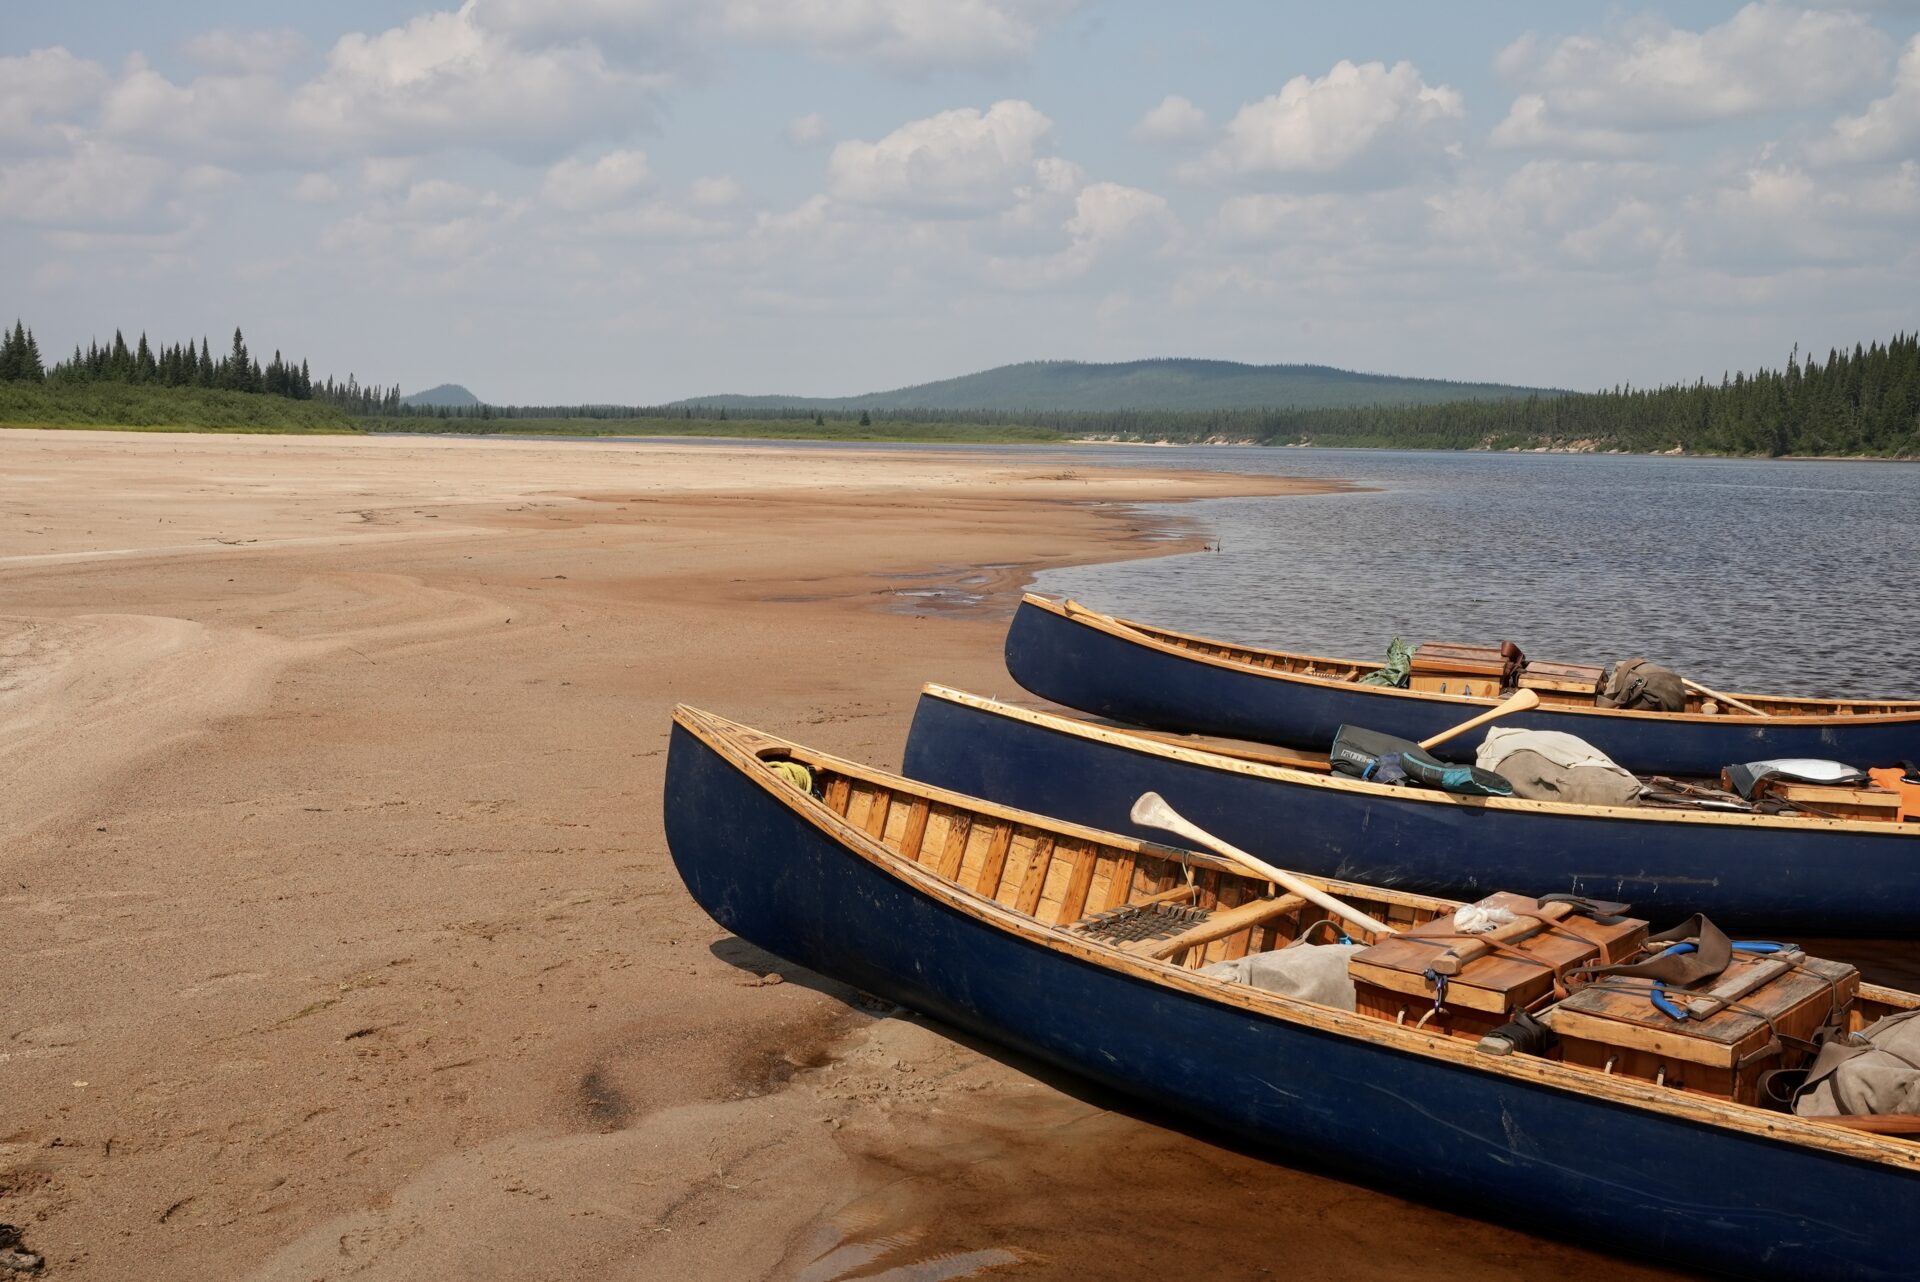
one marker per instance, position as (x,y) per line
(341,936)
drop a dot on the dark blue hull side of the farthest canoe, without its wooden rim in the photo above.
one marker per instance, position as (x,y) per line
(1084,667)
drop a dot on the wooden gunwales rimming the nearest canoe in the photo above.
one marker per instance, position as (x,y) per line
(748,751)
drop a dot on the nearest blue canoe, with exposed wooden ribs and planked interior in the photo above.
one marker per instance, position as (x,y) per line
(976,914)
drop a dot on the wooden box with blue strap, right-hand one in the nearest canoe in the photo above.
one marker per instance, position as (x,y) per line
(1614,1026)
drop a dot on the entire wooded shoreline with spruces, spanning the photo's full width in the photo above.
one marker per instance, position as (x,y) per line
(1852,404)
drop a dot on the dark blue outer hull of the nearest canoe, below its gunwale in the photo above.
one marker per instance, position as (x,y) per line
(1548,1160)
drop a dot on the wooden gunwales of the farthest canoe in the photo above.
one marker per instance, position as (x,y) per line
(1888,711)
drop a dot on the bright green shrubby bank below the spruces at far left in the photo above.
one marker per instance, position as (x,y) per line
(162,410)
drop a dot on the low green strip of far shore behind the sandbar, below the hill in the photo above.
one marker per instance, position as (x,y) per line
(754,429)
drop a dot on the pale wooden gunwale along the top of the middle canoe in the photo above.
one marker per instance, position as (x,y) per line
(1274,769)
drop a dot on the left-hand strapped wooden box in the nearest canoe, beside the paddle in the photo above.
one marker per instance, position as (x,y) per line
(1391,978)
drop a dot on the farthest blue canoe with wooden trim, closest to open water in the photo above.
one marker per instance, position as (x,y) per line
(1168,680)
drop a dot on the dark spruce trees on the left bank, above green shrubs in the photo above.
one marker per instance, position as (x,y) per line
(187,366)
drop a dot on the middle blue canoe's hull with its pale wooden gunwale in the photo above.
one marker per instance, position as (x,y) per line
(1804,876)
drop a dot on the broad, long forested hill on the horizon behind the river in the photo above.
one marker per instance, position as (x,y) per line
(1143,385)
